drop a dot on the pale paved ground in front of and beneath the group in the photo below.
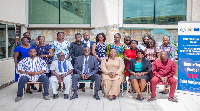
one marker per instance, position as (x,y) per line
(188,101)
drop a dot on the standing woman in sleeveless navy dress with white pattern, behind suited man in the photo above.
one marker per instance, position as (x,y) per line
(99,48)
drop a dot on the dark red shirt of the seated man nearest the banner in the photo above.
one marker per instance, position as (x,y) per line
(163,69)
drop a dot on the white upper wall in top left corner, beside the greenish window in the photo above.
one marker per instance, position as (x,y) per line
(12,11)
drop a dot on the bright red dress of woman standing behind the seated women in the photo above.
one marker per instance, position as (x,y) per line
(130,54)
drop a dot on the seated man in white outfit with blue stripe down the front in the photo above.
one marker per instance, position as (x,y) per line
(61,70)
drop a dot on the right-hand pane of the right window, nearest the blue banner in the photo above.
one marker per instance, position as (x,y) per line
(170,11)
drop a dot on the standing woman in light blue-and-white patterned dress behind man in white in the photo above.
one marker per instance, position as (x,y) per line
(61,45)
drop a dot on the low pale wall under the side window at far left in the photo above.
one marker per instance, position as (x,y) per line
(7,71)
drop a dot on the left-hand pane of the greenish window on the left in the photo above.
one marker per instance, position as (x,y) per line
(43,11)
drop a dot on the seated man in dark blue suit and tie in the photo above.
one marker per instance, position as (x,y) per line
(86,67)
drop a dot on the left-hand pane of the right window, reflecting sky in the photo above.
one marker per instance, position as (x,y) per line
(138,12)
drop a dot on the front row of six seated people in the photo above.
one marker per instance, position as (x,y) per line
(32,68)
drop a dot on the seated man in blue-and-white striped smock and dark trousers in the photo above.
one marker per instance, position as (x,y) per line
(32,68)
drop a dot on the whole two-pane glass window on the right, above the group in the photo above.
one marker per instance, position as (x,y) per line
(142,11)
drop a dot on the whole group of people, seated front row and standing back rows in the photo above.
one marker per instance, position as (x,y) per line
(96,61)
